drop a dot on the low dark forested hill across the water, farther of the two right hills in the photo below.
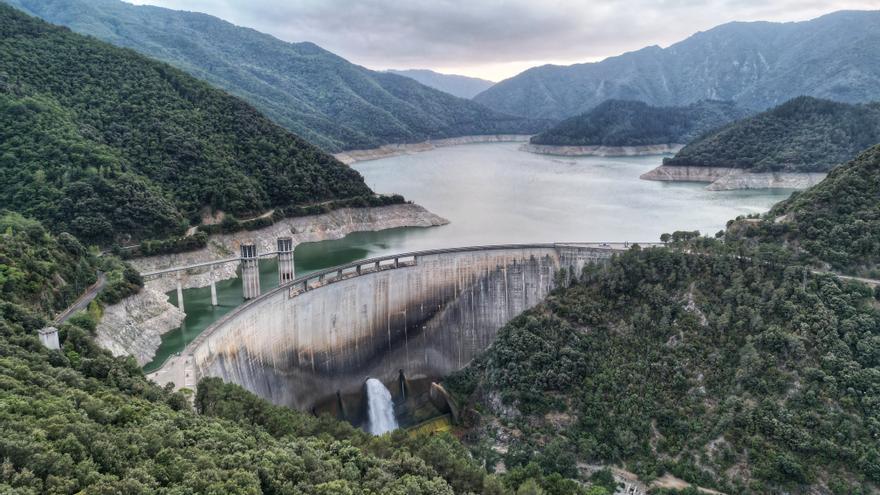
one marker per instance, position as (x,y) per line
(634,123)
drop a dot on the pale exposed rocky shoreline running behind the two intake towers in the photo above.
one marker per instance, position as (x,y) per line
(134,326)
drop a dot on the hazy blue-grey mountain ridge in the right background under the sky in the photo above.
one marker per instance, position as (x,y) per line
(755,64)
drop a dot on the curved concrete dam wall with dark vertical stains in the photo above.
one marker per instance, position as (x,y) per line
(427,313)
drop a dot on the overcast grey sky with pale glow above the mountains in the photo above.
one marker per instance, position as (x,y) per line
(495,39)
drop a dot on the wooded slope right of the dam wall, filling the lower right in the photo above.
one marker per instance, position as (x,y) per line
(726,372)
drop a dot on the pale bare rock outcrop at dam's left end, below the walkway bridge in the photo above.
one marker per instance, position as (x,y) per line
(135,325)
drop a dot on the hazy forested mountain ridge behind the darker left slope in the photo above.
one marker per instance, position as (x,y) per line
(322,97)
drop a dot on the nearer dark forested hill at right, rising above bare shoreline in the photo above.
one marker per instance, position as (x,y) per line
(802,135)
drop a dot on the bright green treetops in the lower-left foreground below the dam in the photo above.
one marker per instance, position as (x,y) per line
(78,420)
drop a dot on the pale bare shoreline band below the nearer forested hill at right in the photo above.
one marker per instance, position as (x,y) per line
(729,179)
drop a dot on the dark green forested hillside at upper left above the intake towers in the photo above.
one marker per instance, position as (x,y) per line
(108,145)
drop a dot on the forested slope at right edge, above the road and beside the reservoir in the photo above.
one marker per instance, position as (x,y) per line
(836,222)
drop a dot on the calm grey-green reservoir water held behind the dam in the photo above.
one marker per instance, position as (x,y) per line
(495,194)
